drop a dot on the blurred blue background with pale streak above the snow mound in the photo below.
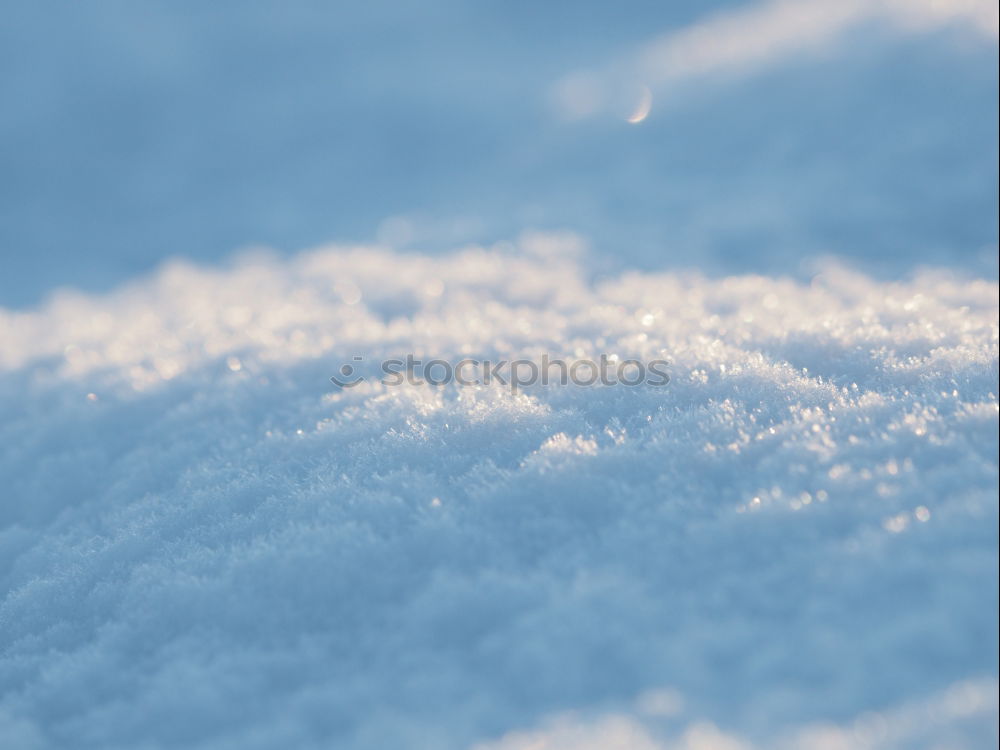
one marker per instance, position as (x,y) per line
(728,137)
